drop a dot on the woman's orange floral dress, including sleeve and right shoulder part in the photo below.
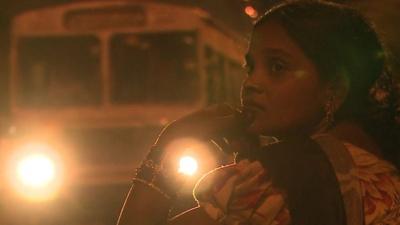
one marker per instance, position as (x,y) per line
(242,193)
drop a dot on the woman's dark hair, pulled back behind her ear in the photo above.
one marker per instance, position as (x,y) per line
(342,44)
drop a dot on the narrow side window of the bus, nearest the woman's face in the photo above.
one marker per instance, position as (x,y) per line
(215,76)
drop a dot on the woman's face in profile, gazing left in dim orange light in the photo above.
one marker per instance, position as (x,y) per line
(282,94)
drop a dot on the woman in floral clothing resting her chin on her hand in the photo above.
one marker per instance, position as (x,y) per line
(312,68)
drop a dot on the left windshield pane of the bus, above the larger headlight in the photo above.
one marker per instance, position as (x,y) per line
(59,71)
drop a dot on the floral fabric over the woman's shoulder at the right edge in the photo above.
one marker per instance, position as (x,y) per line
(380,186)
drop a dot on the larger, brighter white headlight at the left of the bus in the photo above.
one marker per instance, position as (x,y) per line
(36,171)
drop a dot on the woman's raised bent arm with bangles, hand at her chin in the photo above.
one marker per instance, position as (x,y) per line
(147,202)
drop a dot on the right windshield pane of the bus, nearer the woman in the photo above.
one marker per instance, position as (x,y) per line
(154,68)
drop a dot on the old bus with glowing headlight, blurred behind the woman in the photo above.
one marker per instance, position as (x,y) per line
(97,81)
